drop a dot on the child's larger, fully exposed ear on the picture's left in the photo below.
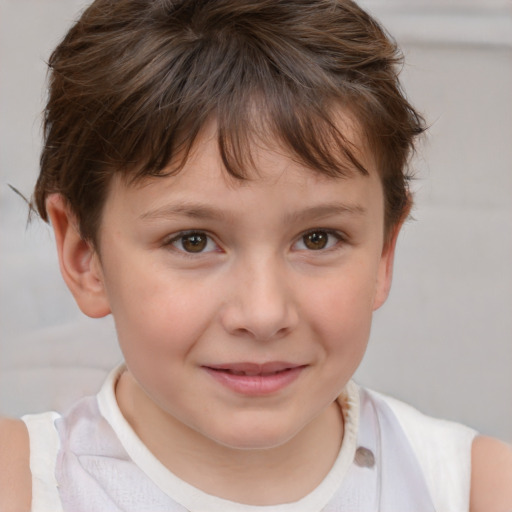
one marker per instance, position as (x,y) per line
(79,262)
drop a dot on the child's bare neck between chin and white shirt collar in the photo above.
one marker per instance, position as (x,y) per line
(280,474)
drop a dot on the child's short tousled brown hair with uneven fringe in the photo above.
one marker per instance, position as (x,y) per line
(134,81)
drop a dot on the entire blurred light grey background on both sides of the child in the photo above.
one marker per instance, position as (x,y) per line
(443,342)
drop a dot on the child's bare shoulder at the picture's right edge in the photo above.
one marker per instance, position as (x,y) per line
(491,476)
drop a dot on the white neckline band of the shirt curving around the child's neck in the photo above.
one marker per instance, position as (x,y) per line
(192,498)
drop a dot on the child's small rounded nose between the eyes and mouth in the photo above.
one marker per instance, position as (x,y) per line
(261,302)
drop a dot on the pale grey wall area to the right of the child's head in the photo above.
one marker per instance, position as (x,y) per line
(444,340)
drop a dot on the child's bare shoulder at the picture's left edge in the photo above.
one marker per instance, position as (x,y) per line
(15,476)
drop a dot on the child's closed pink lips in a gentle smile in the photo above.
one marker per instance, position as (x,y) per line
(252,379)
